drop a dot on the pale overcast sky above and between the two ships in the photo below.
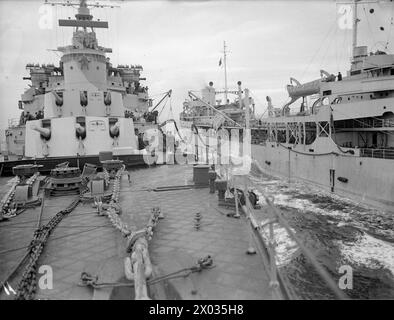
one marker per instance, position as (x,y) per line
(179,44)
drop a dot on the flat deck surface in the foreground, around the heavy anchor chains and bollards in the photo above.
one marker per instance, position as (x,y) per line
(85,241)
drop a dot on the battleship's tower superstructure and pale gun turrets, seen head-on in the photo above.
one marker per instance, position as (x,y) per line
(84,105)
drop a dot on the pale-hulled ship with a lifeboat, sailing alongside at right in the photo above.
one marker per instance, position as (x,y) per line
(340,137)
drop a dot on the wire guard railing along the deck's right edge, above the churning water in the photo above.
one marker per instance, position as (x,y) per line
(264,233)
